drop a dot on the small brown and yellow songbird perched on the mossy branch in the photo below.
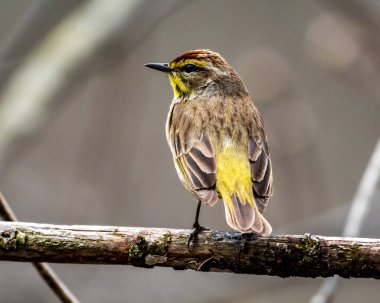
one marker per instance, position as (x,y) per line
(217,138)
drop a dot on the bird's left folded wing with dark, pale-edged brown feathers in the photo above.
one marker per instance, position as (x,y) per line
(195,160)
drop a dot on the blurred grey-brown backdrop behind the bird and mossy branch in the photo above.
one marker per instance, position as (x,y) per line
(82,136)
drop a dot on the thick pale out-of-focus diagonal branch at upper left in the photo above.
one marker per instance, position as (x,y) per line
(26,100)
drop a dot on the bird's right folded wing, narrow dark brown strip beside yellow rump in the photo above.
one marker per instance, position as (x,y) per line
(261,168)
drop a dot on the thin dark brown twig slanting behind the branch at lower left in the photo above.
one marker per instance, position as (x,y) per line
(46,272)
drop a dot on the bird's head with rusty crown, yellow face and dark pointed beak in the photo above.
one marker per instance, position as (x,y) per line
(198,73)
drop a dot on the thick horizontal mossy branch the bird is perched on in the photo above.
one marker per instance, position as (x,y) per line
(278,255)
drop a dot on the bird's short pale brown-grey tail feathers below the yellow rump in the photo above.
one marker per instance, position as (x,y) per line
(244,216)
